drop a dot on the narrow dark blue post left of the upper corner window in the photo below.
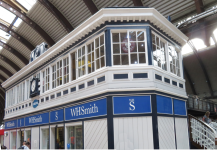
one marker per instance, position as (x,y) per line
(108,47)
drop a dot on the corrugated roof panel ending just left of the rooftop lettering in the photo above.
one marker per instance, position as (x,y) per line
(19,47)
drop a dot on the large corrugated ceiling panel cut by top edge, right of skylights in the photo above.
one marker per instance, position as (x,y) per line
(72,10)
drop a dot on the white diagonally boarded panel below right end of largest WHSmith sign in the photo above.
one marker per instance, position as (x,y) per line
(96,134)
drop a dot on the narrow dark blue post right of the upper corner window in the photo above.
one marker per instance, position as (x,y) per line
(149,46)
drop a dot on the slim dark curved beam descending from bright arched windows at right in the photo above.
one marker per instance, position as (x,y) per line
(202,66)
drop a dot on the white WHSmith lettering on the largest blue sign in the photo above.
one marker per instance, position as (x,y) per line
(80,111)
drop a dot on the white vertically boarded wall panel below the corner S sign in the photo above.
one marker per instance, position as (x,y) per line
(133,133)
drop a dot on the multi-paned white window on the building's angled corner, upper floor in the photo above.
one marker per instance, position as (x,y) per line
(129,47)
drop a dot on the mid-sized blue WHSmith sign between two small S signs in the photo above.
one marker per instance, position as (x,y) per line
(37,119)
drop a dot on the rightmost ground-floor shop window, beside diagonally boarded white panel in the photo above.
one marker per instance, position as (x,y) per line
(74,137)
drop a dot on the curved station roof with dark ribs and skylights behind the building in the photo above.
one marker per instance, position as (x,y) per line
(24,24)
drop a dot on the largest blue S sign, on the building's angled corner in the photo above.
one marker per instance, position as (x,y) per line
(132,104)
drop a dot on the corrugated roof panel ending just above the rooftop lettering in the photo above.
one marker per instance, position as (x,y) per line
(29,34)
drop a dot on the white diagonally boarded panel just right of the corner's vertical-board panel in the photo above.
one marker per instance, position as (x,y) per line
(166,133)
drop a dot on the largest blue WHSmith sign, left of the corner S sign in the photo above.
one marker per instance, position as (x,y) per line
(87,110)
